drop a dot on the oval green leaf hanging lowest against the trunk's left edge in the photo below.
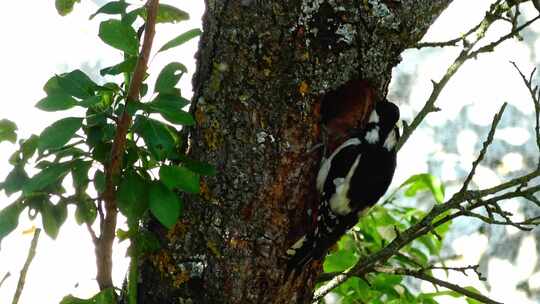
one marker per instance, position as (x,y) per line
(165,205)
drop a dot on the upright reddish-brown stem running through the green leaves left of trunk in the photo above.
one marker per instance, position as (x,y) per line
(104,248)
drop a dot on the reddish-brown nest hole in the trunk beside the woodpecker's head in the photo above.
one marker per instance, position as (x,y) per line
(344,109)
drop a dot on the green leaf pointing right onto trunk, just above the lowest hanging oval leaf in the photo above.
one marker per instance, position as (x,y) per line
(175,177)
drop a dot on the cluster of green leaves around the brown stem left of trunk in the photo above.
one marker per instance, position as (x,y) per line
(78,147)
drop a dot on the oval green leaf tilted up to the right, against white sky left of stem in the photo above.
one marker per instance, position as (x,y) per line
(59,133)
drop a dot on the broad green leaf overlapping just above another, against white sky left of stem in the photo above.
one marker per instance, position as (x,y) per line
(76,83)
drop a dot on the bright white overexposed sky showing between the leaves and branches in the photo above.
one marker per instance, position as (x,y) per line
(42,43)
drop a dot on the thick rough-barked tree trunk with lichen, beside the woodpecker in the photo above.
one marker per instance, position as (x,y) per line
(263,67)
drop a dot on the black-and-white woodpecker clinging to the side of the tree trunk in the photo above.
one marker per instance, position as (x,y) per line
(350,181)
